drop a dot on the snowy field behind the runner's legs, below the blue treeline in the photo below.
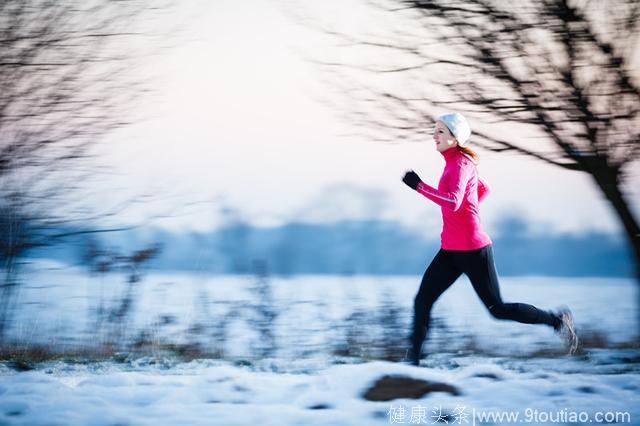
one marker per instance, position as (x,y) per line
(56,306)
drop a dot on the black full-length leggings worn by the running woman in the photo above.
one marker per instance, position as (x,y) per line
(478,265)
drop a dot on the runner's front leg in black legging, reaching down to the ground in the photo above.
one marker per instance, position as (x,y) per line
(439,276)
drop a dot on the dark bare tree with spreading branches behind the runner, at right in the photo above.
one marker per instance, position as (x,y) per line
(565,70)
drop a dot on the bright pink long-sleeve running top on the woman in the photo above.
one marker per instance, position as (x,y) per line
(459,193)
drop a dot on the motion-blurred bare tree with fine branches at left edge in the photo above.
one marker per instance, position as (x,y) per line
(66,81)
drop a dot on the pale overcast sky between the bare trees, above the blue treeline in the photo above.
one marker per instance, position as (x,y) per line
(236,122)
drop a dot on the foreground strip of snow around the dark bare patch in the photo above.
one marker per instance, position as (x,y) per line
(219,393)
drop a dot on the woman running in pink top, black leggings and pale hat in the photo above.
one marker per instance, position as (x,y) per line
(465,247)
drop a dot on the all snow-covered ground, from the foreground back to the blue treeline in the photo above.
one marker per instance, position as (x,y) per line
(499,368)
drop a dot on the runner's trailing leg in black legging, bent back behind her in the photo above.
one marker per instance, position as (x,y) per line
(480,268)
